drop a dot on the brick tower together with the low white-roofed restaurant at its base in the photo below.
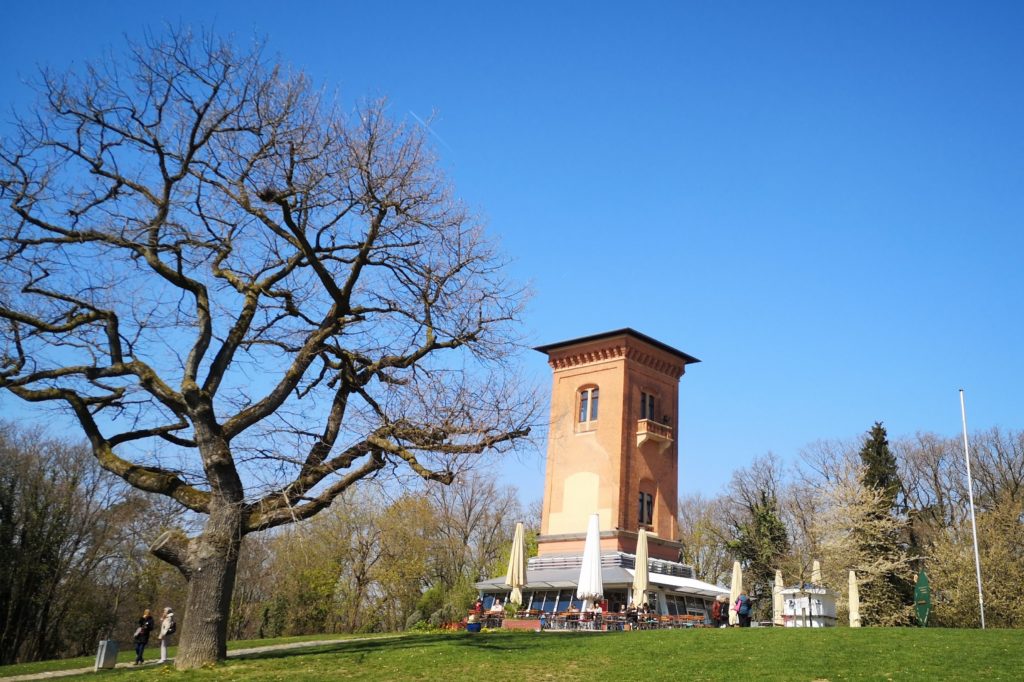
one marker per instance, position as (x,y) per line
(613,451)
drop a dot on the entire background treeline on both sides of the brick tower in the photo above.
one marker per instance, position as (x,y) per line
(75,566)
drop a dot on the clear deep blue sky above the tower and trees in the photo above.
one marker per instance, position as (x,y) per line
(822,201)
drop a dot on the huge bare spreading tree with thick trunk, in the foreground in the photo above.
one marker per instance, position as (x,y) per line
(248,301)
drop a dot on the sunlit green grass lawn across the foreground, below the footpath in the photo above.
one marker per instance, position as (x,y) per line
(839,654)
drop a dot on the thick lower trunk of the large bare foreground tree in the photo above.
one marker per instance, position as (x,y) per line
(214,563)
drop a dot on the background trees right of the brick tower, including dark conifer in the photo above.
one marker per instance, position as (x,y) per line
(883,510)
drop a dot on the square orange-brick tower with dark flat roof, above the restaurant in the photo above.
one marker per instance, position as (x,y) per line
(612,445)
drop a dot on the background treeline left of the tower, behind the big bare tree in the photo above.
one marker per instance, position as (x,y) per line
(75,566)
